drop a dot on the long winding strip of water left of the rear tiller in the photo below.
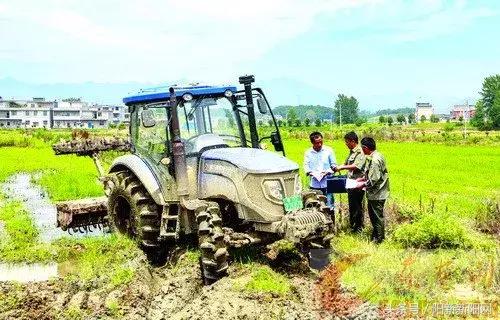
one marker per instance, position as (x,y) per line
(37,202)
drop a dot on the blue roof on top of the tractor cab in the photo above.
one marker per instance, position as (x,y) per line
(162,93)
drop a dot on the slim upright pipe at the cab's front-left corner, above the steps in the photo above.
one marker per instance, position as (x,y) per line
(178,151)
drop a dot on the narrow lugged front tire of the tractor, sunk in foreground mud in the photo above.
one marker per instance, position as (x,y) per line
(213,261)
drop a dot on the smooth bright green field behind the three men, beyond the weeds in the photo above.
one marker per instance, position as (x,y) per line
(456,179)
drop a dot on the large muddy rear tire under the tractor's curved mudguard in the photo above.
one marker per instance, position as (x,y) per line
(133,212)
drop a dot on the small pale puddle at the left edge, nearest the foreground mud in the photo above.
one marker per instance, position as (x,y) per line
(28,272)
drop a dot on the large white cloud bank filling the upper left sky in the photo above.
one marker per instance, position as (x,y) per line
(152,40)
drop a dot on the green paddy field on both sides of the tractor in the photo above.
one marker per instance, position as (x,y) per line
(442,217)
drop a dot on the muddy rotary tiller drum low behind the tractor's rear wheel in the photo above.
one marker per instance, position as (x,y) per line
(82,215)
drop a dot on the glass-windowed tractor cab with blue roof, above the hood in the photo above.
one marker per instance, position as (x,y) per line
(208,117)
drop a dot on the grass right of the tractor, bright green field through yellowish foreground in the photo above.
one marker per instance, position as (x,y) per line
(441,191)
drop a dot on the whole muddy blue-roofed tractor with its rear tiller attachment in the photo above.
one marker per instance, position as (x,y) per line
(197,166)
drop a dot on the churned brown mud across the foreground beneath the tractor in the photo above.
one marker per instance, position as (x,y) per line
(174,291)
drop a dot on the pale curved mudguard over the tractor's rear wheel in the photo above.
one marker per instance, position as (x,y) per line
(142,172)
